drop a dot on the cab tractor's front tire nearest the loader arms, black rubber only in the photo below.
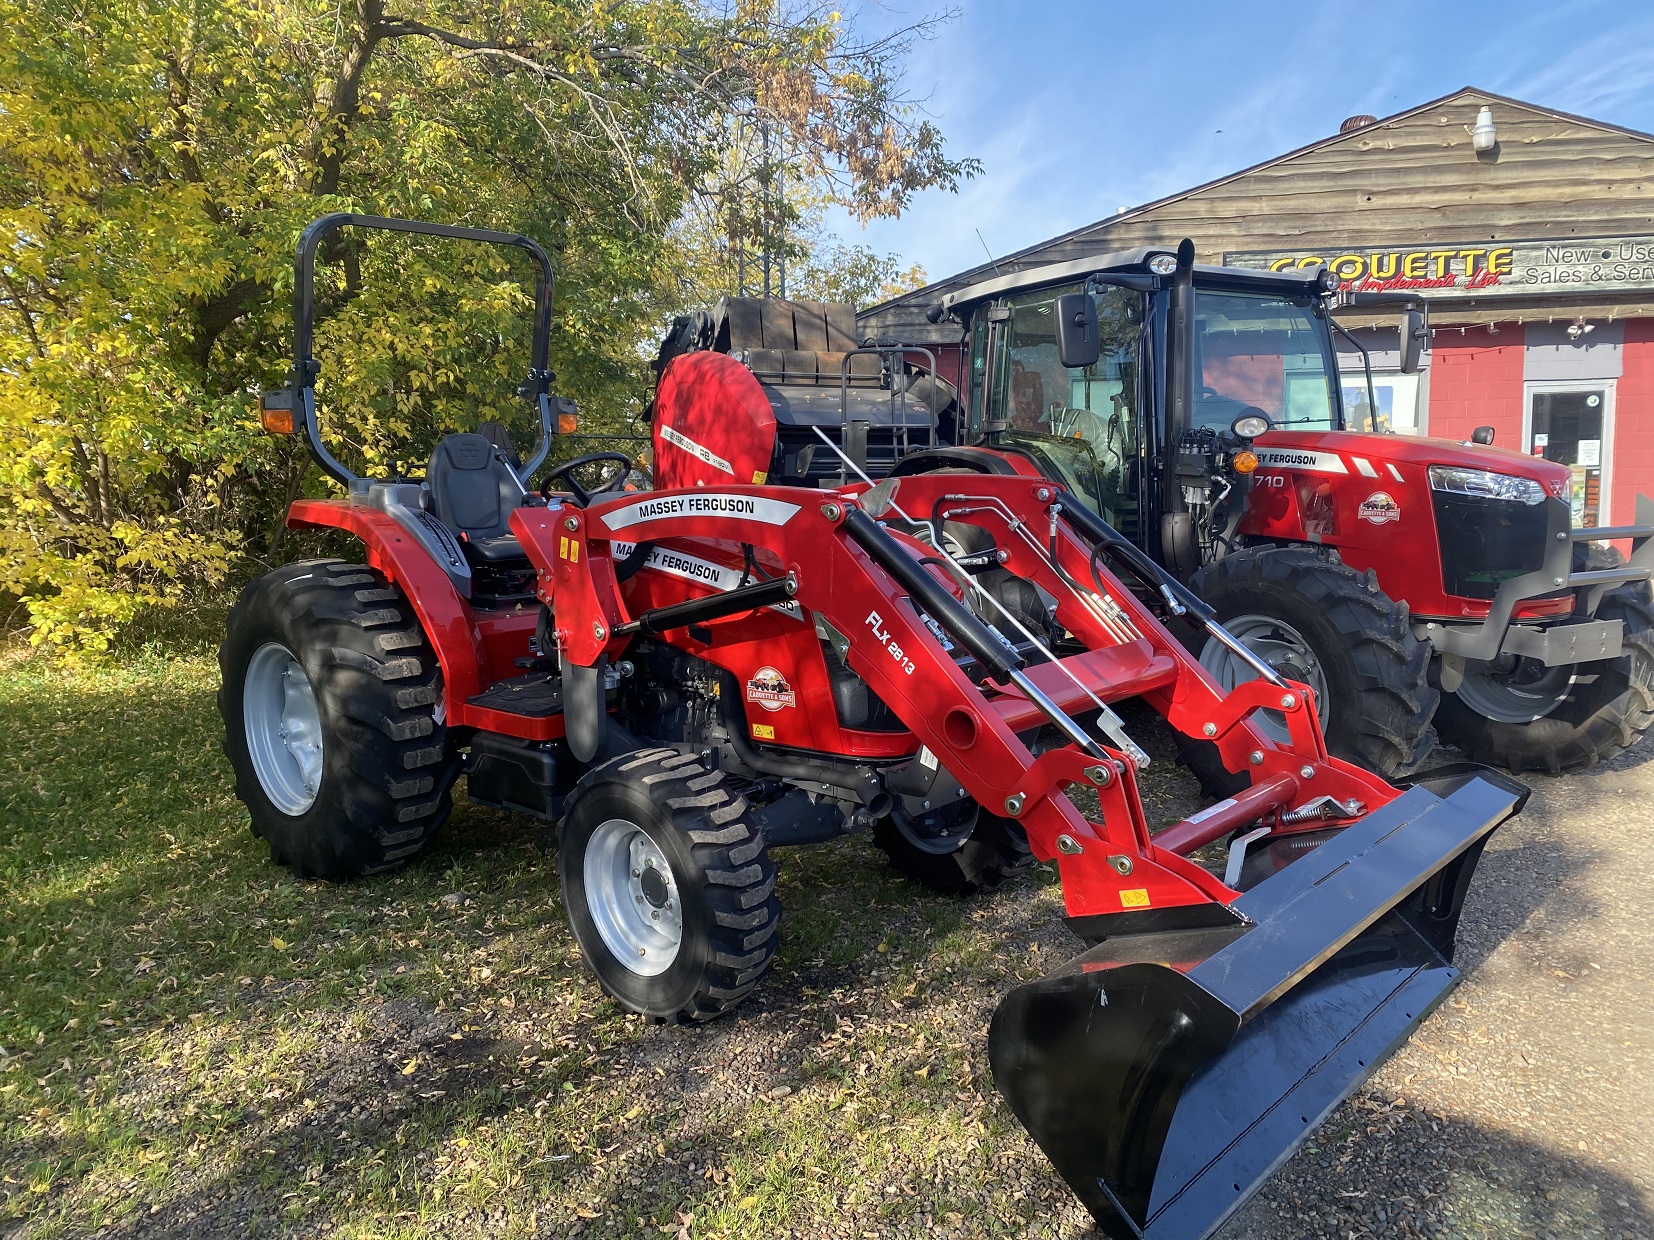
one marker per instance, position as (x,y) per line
(1382,702)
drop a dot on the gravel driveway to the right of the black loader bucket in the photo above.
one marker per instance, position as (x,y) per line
(1526,1105)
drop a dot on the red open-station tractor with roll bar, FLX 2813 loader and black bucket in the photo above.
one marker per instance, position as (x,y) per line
(694,677)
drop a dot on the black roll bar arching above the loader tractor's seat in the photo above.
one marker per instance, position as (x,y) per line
(302,381)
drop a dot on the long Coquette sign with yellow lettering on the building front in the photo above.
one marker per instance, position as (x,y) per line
(1580,265)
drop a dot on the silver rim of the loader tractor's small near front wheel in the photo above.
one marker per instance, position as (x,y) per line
(633,899)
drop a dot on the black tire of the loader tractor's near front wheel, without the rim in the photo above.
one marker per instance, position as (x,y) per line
(724,874)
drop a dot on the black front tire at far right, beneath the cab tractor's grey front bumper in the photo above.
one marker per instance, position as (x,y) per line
(1607,712)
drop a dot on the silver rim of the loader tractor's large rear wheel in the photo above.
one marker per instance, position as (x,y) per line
(284,728)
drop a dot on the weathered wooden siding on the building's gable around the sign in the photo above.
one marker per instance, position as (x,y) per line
(1413,181)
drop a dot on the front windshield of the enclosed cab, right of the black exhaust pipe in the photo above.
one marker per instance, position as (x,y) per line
(1258,351)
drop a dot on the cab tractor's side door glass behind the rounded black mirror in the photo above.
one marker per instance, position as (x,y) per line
(1081,422)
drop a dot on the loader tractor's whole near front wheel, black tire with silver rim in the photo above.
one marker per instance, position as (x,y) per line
(667,885)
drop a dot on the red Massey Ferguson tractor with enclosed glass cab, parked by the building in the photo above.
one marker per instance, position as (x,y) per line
(1410,581)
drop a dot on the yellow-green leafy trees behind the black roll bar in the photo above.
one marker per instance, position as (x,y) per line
(158,161)
